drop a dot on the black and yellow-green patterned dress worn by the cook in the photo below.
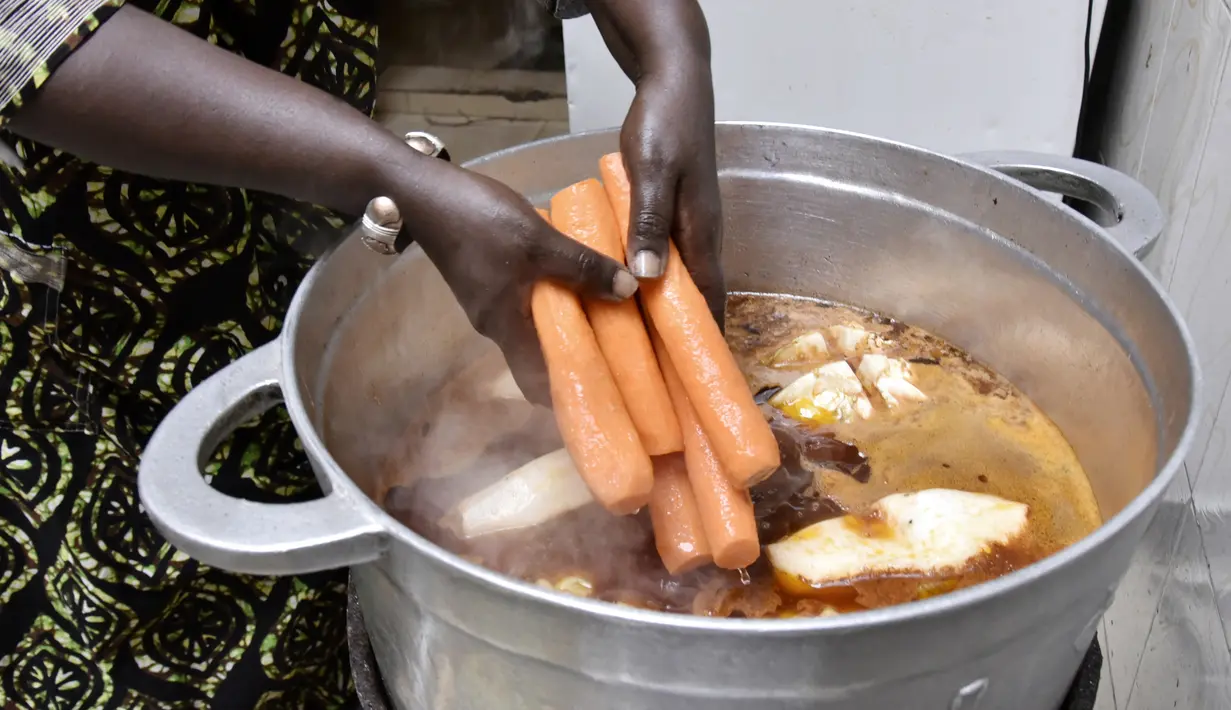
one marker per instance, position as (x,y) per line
(119,293)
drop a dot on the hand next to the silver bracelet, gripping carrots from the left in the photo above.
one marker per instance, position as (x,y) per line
(492,248)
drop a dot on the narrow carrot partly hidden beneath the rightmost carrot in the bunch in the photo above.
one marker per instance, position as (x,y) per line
(726,511)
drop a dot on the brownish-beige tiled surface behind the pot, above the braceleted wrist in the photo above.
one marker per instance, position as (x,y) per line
(475,113)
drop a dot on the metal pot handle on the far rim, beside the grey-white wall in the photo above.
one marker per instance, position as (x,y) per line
(1139,218)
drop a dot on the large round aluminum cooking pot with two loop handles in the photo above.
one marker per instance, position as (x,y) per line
(1049,300)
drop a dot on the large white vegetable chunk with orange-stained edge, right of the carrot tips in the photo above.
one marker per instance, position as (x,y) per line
(924,533)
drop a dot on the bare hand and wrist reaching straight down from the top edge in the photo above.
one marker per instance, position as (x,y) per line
(668,141)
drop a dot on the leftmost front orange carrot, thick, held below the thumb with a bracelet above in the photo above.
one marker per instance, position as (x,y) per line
(594,424)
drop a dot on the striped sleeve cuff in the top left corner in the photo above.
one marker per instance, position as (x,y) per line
(36,36)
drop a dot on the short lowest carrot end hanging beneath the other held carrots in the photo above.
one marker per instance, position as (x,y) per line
(679,532)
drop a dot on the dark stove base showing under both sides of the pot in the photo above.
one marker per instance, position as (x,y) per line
(372,695)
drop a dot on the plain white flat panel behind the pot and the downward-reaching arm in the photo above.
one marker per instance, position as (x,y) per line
(952,76)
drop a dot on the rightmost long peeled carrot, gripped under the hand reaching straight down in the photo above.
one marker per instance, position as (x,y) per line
(721,397)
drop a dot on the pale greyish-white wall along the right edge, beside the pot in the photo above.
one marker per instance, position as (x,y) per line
(1171,129)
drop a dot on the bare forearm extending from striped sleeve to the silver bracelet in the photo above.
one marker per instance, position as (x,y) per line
(145,97)
